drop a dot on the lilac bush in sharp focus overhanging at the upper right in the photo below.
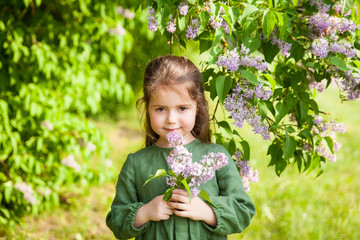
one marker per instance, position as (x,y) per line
(265,61)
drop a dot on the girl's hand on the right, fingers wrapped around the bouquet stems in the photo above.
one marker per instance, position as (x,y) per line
(197,209)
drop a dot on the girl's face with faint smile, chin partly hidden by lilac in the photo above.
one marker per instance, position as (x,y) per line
(172,109)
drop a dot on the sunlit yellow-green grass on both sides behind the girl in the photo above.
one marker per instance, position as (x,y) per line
(293,206)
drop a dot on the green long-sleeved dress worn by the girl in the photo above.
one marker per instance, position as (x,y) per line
(234,209)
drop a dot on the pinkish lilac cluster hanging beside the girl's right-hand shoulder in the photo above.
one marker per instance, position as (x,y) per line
(246,172)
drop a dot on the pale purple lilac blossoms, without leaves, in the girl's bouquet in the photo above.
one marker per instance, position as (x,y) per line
(180,162)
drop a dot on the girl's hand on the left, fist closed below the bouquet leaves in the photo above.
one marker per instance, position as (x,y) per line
(155,210)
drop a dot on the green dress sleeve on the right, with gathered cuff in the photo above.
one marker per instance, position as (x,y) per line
(234,208)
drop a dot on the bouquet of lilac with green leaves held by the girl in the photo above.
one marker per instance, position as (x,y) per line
(184,172)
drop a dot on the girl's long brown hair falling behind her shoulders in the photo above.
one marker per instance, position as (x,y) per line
(166,71)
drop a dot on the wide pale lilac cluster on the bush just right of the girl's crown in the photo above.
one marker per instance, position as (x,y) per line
(231,60)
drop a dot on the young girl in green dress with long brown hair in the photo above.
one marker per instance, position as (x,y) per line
(174,100)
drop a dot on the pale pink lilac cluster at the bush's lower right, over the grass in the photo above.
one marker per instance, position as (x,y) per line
(327,129)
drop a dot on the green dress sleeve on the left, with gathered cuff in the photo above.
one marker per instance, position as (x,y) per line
(125,205)
